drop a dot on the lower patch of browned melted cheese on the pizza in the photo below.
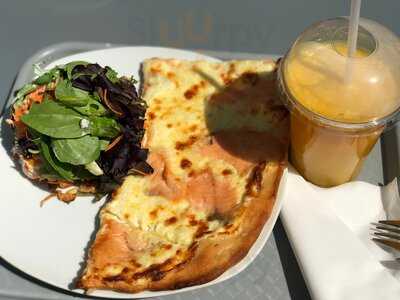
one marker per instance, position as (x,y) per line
(165,222)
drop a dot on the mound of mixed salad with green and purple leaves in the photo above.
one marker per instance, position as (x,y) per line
(80,123)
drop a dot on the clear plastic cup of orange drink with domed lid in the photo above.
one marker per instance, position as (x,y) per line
(336,120)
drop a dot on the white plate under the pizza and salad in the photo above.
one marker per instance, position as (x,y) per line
(48,243)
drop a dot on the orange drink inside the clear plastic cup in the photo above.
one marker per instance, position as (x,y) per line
(315,76)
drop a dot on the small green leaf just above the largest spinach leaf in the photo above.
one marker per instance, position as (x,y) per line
(70,96)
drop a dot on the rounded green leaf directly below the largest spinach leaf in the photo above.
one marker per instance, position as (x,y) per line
(78,151)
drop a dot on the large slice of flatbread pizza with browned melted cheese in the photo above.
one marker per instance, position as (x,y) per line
(217,137)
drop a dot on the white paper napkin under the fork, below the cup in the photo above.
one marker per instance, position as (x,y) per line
(329,232)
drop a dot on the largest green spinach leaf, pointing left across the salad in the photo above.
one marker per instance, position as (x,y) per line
(55,120)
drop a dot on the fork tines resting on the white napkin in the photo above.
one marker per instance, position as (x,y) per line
(387,233)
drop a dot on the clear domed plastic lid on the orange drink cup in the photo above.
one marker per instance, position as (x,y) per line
(321,78)
